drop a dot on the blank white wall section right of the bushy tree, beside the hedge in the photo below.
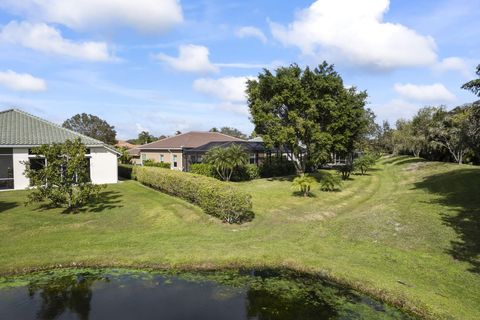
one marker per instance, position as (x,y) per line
(103,166)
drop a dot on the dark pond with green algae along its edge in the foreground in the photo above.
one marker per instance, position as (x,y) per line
(128,294)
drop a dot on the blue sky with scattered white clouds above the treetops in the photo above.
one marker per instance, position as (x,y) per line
(167,65)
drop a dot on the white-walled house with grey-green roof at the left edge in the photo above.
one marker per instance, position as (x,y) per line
(20,131)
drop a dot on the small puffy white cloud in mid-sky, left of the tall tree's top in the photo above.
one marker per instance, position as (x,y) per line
(191,58)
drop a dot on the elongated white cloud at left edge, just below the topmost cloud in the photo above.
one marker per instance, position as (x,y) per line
(43,38)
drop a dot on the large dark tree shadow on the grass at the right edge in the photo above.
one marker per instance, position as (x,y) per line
(459,192)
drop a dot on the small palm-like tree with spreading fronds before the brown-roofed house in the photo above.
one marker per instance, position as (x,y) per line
(225,160)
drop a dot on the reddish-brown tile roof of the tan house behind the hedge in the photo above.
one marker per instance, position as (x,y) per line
(190,139)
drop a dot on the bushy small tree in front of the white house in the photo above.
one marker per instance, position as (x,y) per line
(65,180)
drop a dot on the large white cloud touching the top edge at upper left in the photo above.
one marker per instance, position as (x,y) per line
(143,15)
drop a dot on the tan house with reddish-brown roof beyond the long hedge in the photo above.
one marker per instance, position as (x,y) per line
(185,149)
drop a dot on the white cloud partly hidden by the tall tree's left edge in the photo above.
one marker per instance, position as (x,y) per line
(225,89)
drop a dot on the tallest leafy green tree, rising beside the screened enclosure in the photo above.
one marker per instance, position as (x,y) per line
(307,114)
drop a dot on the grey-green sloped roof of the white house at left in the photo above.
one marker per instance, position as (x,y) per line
(23,129)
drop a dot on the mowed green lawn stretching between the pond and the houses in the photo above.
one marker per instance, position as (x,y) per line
(408,232)
